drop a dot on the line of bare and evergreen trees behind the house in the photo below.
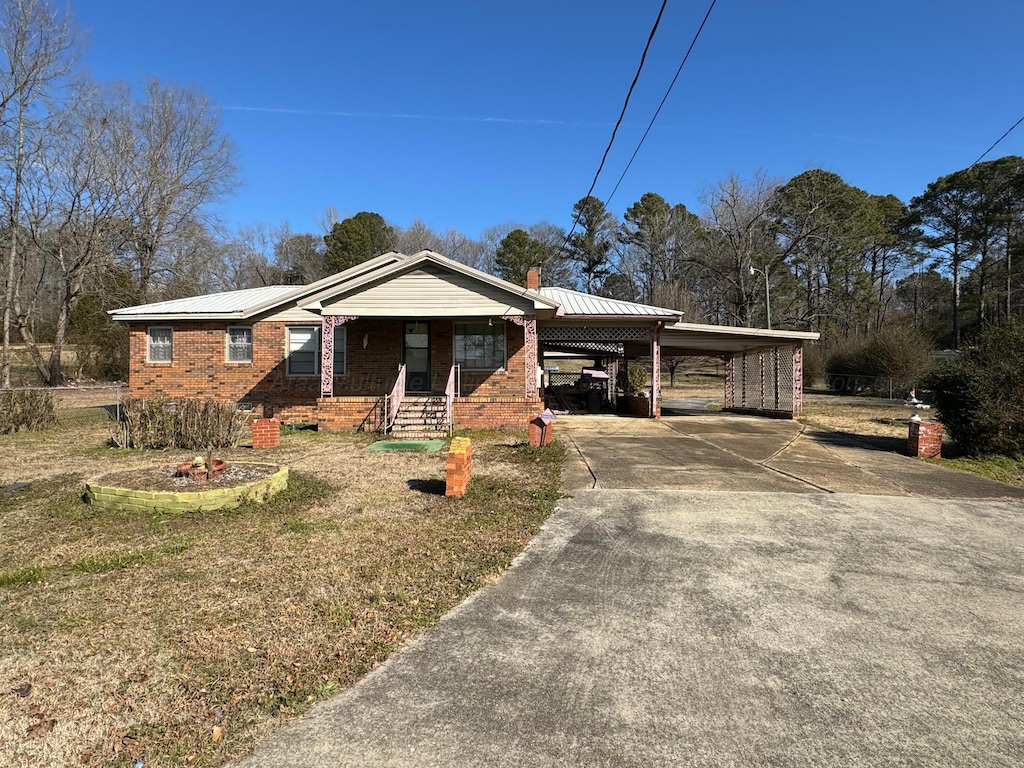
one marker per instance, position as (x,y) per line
(107,192)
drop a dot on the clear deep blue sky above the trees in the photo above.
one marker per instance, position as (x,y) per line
(473,114)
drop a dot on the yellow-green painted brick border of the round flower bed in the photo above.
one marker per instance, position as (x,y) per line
(130,500)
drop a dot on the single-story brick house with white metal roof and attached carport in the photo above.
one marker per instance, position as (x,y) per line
(405,333)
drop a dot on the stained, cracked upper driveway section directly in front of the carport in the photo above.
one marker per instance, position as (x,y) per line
(730,452)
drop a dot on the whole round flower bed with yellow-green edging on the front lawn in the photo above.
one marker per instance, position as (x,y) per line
(163,488)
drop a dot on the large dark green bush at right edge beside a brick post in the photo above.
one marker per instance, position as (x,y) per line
(980,396)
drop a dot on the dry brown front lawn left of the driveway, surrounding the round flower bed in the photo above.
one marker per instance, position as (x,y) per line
(185,639)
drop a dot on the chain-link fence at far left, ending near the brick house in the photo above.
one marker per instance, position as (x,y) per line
(41,408)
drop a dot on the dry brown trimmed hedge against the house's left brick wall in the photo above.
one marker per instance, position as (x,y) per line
(180,424)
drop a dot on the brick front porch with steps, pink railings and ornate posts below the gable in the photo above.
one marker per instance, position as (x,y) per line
(461,373)
